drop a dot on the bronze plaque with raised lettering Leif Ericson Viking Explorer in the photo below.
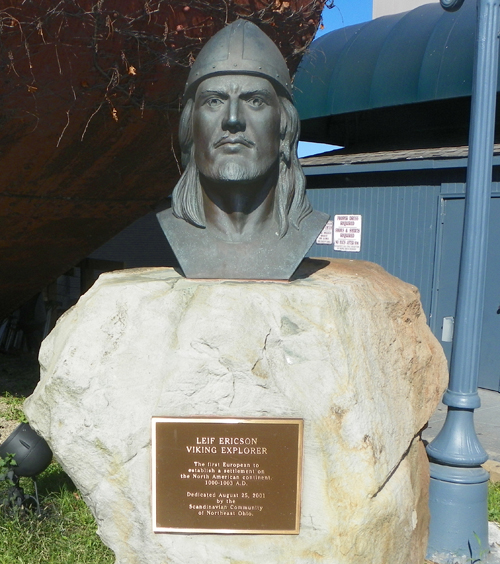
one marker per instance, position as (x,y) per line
(220,475)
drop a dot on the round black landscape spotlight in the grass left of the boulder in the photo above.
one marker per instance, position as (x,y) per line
(32,455)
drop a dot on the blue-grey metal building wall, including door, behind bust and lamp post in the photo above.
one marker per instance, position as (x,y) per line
(414,233)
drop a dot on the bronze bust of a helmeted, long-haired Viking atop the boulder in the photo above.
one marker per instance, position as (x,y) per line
(240,209)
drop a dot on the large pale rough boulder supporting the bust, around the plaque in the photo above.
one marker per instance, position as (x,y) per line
(344,346)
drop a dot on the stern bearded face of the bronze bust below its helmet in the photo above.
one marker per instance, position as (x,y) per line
(236,128)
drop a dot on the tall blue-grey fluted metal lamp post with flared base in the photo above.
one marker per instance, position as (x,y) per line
(459,486)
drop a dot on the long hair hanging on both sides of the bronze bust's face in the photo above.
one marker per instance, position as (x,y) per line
(291,203)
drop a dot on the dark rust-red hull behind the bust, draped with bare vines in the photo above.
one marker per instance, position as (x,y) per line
(89,107)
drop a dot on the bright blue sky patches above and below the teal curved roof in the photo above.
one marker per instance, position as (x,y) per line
(344,13)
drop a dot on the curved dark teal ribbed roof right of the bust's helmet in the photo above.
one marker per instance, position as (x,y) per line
(417,56)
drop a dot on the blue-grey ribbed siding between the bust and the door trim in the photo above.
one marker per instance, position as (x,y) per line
(399,229)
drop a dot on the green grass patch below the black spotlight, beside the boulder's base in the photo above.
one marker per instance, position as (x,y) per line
(64,533)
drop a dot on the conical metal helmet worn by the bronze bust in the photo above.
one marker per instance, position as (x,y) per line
(240,48)
